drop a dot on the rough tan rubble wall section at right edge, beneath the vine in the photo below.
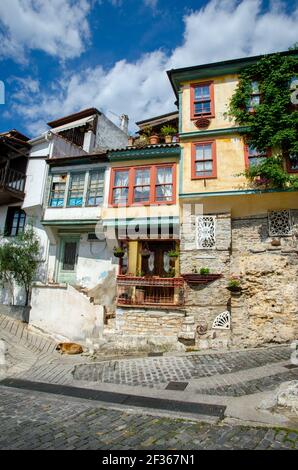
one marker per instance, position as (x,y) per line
(267,311)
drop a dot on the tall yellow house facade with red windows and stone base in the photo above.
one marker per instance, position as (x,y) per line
(241,235)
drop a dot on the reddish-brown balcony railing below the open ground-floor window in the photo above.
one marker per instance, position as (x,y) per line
(133,290)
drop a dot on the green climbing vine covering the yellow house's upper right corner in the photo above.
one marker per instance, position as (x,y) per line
(273,122)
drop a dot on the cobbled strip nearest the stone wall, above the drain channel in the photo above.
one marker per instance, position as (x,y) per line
(158,371)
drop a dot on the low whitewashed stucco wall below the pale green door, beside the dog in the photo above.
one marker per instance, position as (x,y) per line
(66,313)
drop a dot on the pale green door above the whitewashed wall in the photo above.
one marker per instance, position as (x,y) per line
(68,260)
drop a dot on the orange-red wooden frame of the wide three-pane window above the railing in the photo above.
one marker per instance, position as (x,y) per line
(131,185)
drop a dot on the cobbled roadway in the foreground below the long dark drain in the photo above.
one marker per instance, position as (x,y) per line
(41,421)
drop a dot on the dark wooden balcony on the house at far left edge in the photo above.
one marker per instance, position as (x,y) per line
(12,185)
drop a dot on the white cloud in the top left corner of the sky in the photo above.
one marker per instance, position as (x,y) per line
(57,27)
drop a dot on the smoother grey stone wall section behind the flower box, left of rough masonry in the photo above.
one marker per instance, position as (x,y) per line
(205,301)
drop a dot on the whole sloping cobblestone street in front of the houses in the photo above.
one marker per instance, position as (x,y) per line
(51,409)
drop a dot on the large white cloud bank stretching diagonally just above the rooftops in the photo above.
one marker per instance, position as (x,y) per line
(224,29)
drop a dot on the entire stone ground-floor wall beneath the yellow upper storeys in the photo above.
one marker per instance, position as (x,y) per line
(267,310)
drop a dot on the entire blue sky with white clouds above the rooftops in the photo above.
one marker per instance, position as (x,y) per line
(60,56)
